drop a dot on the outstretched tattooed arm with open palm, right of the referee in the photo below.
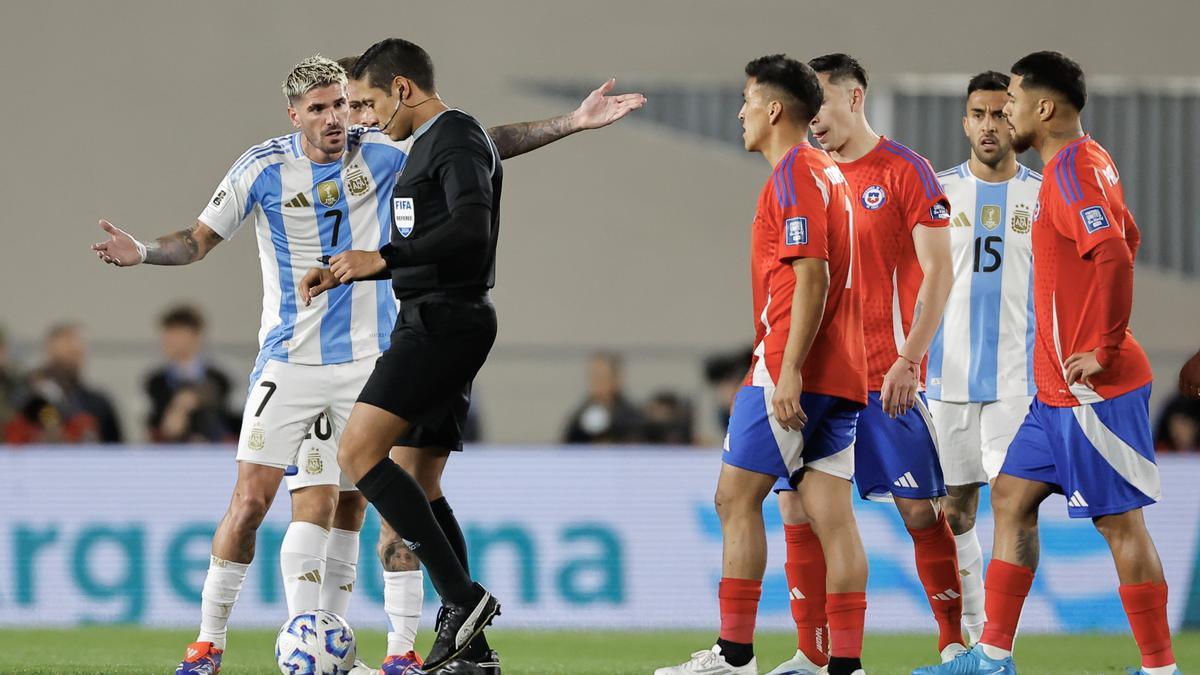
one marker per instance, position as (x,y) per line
(597,111)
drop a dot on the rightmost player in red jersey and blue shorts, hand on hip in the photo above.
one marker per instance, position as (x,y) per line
(1088,434)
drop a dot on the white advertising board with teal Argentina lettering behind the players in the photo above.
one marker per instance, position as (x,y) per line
(567,539)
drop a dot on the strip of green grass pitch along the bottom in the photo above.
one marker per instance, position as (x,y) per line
(133,650)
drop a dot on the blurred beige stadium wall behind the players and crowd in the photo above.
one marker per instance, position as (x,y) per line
(632,240)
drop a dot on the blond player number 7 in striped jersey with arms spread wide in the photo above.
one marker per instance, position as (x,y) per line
(317,193)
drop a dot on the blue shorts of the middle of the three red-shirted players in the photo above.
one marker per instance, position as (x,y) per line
(897,458)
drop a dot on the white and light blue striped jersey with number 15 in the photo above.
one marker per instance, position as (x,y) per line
(985,348)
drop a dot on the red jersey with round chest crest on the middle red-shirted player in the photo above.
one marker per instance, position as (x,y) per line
(895,190)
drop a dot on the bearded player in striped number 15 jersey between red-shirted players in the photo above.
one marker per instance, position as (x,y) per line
(981,365)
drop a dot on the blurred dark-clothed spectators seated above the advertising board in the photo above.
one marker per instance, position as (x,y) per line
(46,398)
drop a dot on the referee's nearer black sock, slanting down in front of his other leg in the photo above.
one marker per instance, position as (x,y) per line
(401,501)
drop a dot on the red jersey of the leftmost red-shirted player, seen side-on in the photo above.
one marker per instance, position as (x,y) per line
(805,212)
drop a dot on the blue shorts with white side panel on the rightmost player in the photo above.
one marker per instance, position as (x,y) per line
(1100,456)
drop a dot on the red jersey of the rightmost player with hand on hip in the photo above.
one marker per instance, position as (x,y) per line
(1082,204)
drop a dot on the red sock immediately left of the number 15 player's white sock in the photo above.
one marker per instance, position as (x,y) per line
(938,565)
